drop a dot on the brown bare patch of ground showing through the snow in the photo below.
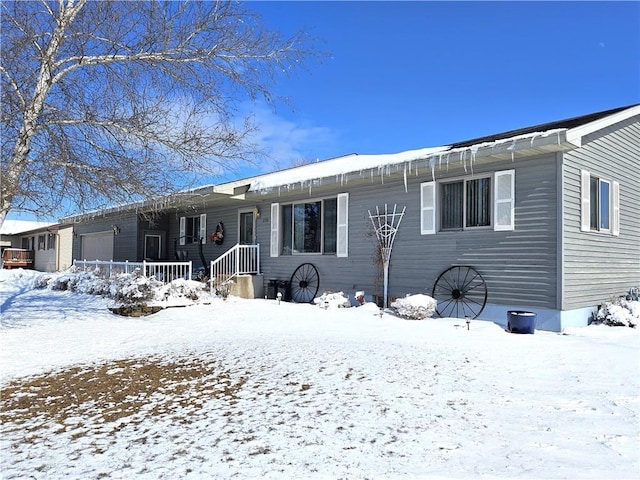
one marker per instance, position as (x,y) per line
(109,392)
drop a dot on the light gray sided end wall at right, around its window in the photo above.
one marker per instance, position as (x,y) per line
(595,264)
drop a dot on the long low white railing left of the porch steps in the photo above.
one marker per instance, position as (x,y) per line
(162,271)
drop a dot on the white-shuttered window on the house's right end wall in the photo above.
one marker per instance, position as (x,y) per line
(600,204)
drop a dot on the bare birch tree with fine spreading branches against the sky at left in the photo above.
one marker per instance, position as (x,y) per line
(121,101)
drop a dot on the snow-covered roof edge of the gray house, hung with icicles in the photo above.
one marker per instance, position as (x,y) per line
(539,139)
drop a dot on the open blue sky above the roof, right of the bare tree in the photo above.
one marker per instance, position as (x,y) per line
(406,75)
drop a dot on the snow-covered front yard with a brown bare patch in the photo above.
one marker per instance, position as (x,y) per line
(256,389)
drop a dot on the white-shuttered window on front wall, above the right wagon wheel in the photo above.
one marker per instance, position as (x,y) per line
(468,203)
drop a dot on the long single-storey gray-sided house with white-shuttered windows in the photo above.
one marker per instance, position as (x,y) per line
(548,215)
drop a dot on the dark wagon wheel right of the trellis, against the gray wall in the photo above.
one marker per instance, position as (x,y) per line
(460,292)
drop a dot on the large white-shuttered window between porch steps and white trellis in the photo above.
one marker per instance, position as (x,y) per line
(318,226)
